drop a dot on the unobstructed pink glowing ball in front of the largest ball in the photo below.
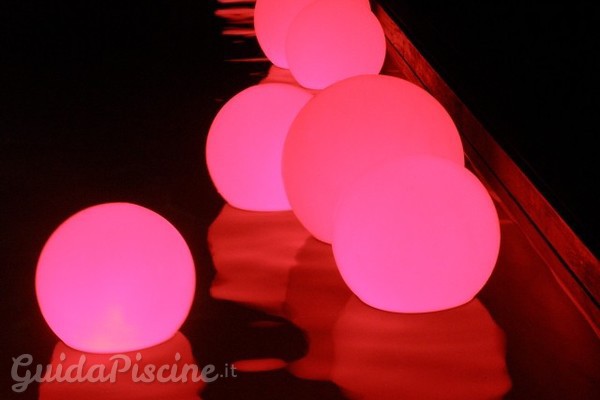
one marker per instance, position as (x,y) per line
(416,234)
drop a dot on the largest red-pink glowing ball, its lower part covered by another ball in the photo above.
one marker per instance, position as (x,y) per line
(352,126)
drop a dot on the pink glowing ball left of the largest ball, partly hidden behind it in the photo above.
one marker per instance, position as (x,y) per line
(245,144)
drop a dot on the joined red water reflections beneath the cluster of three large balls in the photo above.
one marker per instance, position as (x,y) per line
(270,262)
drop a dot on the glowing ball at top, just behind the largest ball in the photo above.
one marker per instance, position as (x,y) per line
(330,40)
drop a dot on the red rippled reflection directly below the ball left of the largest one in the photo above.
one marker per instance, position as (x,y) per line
(253,253)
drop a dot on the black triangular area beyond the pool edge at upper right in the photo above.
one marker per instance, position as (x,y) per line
(528,71)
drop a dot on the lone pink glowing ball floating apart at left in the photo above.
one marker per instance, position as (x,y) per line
(115,277)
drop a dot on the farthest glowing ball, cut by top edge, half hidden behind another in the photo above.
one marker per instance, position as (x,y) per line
(272,19)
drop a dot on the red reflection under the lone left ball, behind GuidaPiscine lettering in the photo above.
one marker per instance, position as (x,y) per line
(132,376)
